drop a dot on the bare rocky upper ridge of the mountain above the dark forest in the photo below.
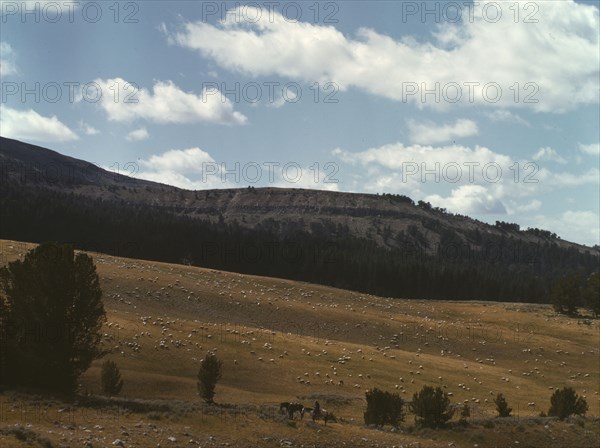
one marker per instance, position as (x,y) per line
(380,218)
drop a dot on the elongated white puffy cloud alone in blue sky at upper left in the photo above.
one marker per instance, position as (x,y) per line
(167,103)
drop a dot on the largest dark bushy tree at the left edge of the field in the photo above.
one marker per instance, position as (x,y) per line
(51,313)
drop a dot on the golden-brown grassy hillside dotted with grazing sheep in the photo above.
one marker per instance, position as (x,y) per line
(281,340)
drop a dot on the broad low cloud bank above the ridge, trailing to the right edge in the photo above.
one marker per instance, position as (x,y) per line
(477,180)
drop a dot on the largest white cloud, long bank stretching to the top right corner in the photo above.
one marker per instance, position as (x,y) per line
(381,65)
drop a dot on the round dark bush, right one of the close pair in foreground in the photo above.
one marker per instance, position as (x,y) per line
(431,407)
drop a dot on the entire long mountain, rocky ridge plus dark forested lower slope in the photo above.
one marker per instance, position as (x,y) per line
(379,244)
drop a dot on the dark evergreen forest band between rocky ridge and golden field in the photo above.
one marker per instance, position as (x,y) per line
(483,267)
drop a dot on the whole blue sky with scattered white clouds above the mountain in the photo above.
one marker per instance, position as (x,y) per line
(488,109)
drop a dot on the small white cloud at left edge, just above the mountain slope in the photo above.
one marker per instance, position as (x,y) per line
(31,126)
